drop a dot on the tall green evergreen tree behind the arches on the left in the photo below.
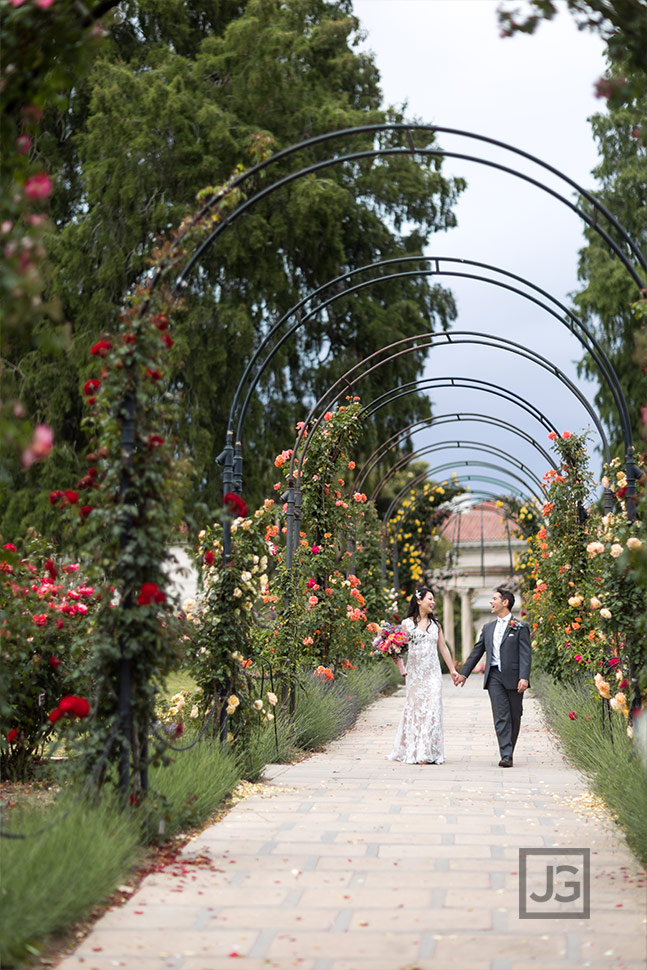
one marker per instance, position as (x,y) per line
(172,104)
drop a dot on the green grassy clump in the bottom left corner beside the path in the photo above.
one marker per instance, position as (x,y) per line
(55,877)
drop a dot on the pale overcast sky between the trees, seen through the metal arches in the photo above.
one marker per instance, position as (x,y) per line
(446,61)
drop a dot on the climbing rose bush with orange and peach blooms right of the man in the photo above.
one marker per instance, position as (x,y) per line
(583,604)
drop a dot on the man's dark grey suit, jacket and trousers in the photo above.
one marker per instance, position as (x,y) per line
(501,684)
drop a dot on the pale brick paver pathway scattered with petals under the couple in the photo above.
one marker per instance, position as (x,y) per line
(347,861)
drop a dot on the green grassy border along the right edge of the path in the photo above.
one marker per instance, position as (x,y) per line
(600,746)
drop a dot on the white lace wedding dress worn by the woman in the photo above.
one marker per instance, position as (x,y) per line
(420,732)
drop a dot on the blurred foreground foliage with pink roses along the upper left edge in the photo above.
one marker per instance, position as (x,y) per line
(45,52)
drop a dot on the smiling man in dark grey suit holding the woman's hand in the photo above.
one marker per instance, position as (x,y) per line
(506,644)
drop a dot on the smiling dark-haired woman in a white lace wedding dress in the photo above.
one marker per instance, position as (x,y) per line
(420,734)
